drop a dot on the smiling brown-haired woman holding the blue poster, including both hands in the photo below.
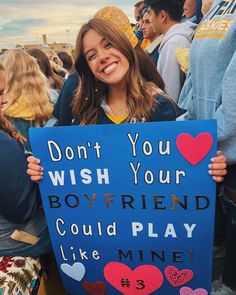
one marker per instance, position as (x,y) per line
(112,89)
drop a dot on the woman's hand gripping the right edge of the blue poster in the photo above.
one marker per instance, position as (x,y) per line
(218,167)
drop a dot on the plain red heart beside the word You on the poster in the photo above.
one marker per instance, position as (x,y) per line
(194,149)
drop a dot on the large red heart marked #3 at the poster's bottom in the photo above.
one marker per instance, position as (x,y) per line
(143,280)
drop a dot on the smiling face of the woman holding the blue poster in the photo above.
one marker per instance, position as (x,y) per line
(107,63)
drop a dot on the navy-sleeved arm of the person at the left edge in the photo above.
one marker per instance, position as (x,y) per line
(20,197)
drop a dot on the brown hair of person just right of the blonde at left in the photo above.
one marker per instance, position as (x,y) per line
(55,81)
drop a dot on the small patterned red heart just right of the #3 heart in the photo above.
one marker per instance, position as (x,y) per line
(178,277)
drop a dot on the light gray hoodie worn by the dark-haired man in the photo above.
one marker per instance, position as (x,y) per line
(179,35)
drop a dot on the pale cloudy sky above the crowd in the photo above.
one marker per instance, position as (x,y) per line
(24,21)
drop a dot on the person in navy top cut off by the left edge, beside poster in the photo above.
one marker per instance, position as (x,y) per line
(23,229)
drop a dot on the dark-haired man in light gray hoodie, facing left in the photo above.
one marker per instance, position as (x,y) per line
(165,17)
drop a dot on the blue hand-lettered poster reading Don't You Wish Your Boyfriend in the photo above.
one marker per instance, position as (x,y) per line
(130,207)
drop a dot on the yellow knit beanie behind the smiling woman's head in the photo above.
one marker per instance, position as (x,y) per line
(119,19)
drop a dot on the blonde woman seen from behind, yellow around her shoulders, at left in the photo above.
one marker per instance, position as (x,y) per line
(27,91)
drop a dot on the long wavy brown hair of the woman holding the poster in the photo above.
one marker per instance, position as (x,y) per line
(87,101)
